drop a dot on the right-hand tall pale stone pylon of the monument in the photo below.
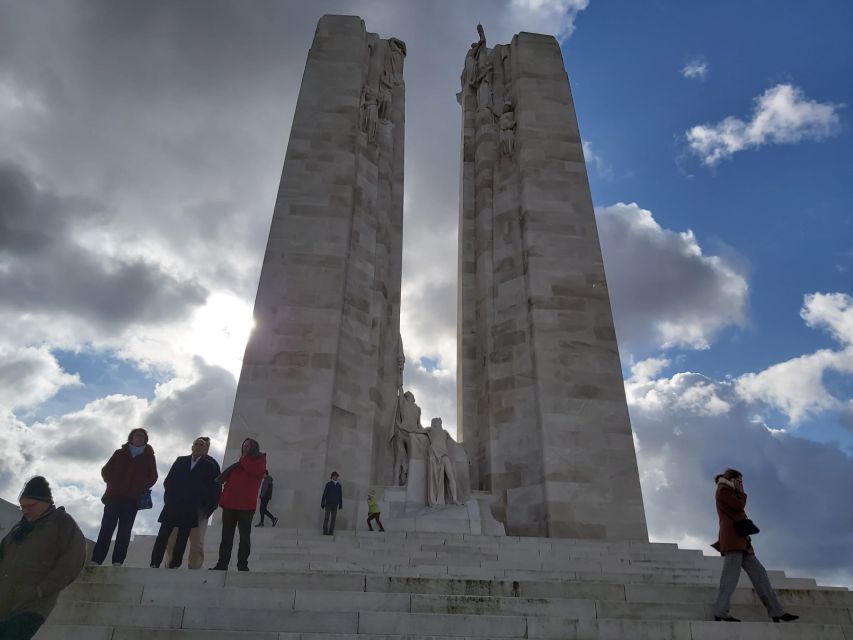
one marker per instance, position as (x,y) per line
(540,389)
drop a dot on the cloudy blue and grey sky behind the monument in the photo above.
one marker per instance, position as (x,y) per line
(140,150)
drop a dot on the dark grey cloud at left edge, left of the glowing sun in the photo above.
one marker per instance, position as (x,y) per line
(47,271)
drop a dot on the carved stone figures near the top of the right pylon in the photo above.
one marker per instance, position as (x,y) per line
(477,78)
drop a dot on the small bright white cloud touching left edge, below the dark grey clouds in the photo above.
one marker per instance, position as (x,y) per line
(29,376)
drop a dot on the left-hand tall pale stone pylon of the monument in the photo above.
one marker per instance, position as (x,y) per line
(320,375)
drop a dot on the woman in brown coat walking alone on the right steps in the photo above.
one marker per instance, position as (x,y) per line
(737,552)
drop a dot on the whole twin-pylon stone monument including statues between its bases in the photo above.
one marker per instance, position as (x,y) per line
(546,446)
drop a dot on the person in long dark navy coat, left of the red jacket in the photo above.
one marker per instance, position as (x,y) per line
(188,490)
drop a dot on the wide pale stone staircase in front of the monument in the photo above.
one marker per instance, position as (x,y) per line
(434,586)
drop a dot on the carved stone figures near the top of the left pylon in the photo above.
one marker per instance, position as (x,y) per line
(377,91)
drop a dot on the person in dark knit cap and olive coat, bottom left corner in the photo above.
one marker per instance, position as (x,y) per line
(40,556)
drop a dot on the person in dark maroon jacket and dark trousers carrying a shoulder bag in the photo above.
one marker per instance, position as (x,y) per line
(129,473)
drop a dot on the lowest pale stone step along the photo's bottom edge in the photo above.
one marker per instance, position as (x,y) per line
(396,624)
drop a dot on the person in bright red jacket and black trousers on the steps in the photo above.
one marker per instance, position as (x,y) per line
(238,500)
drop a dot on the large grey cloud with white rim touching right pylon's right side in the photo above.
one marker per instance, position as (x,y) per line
(680,298)
